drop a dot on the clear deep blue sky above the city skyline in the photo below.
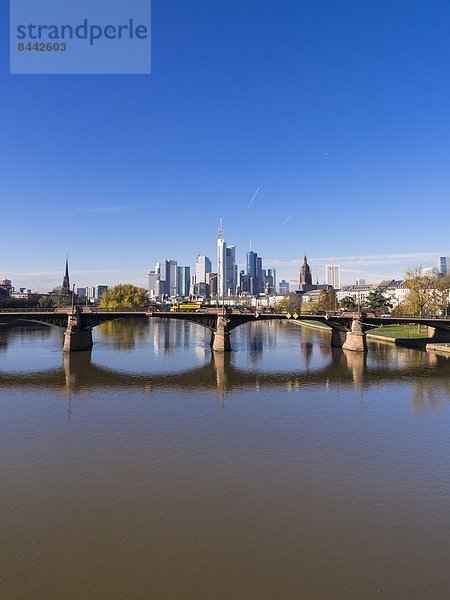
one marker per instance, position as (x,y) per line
(337,110)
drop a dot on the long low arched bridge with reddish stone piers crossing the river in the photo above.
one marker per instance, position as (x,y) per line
(348,330)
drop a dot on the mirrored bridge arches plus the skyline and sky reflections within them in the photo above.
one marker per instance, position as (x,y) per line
(130,354)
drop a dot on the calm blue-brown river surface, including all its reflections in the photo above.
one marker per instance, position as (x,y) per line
(151,468)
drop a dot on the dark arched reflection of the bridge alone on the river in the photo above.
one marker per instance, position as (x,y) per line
(220,375)
